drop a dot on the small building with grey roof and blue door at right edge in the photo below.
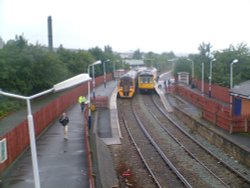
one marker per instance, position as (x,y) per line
(241,99)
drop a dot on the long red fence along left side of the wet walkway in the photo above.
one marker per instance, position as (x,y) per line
(18,138)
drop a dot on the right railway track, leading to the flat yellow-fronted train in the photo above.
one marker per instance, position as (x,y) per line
(227,175)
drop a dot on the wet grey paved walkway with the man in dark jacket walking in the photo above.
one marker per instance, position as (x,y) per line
(61,163)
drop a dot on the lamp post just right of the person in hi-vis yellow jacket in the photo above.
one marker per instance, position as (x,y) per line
(93,75)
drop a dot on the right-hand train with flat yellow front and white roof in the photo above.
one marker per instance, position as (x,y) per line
(147,80)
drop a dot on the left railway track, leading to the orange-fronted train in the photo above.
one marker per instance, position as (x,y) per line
(156,164)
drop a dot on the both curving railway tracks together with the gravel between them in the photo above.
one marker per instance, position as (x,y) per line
(165,149)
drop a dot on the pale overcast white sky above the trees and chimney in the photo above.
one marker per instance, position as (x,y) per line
(128,25)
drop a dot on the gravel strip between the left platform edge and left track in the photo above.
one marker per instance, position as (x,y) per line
(126,157)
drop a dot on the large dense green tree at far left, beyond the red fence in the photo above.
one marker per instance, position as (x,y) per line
(29,69)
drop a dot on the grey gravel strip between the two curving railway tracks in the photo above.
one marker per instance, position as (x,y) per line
(195,173)
